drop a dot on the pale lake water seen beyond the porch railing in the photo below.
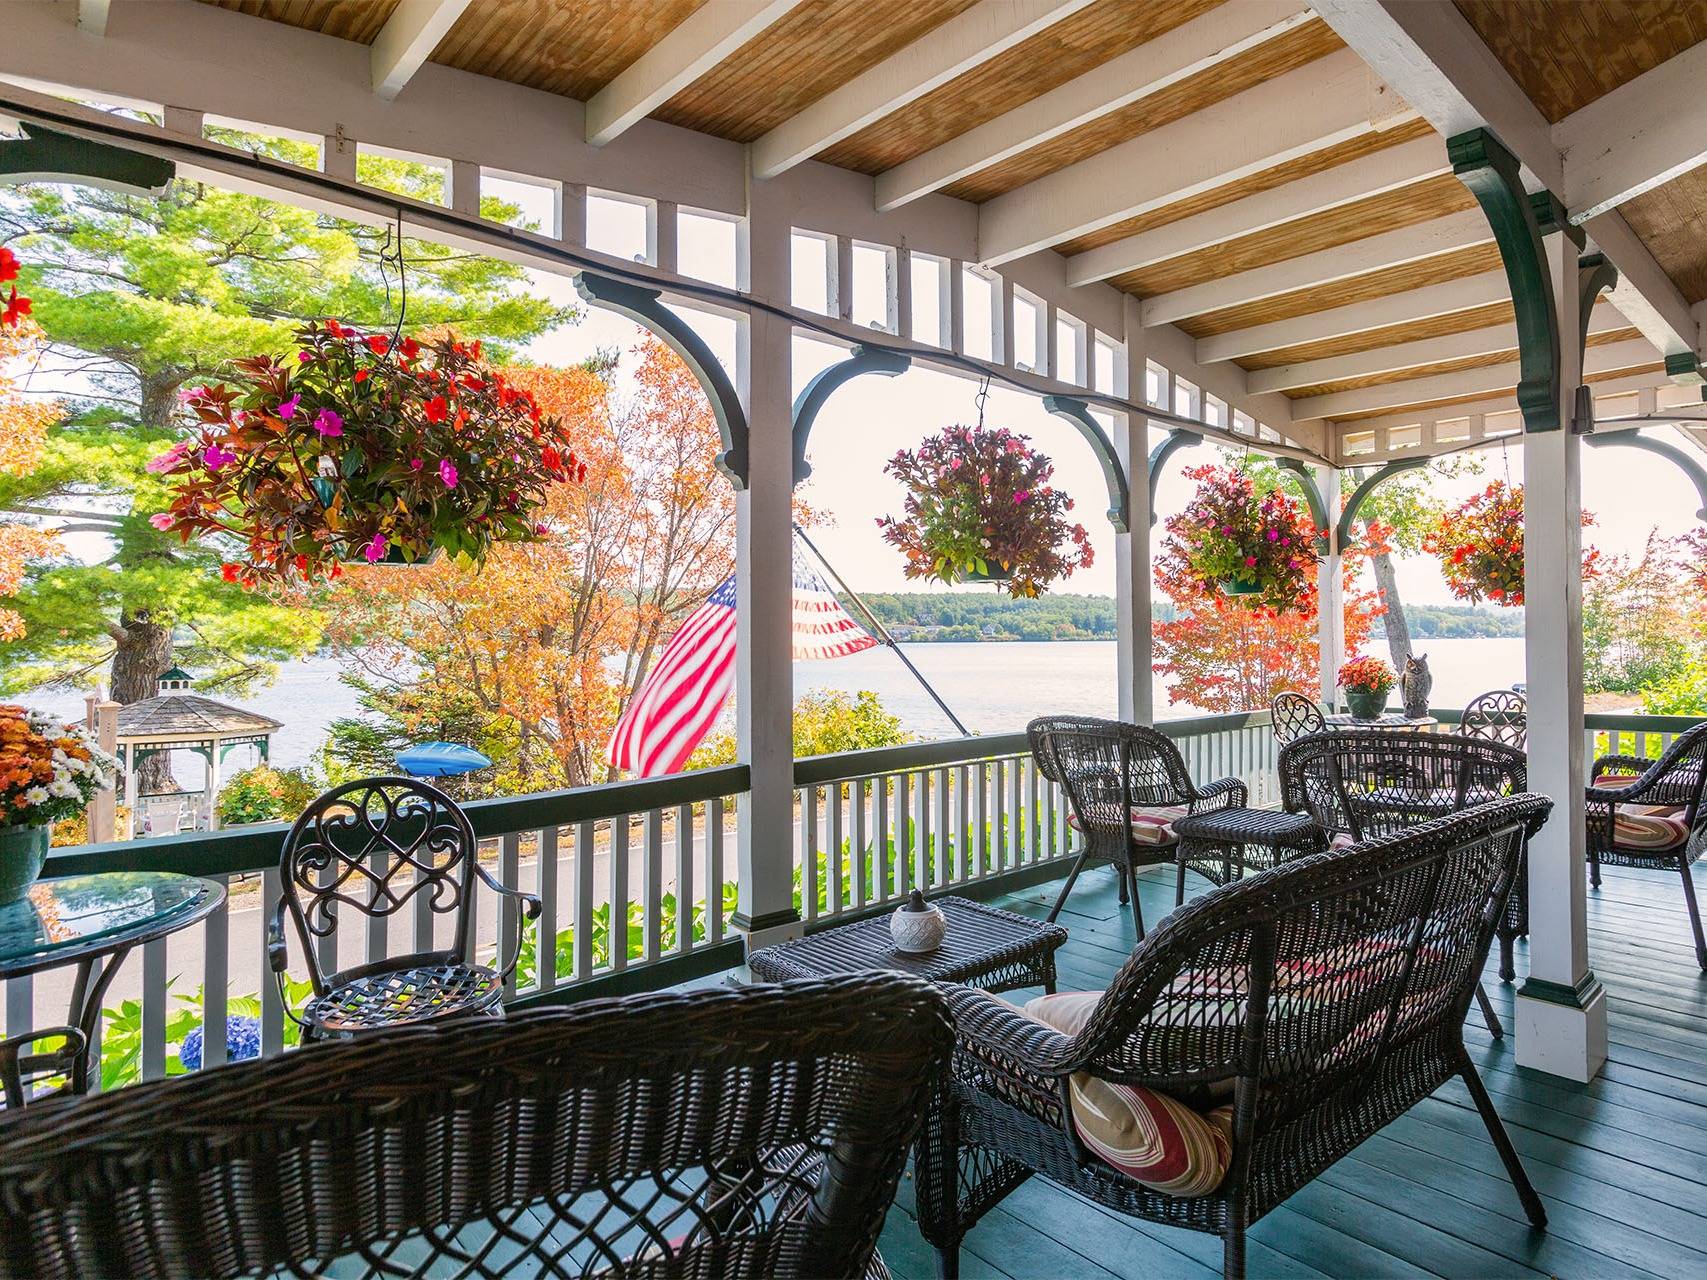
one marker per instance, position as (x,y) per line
(993,687)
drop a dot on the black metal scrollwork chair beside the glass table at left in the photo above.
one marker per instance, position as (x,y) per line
(385,847)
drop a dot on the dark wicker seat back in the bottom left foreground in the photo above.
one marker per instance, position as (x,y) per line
(750,1132)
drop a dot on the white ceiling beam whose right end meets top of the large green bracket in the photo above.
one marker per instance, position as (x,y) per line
(1344,183)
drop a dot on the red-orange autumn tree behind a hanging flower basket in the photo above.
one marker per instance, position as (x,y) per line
(1223,655)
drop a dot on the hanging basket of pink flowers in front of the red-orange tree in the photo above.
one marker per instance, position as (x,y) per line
(1255,549)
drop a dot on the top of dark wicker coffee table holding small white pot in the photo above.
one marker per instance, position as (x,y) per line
(984,946)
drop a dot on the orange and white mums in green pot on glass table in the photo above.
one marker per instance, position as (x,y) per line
(49,772)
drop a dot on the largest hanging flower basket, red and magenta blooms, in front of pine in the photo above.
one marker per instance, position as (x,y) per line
(361,448)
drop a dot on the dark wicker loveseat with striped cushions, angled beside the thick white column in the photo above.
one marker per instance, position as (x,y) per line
(1329,992)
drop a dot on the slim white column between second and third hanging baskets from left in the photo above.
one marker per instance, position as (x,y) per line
(1133,549)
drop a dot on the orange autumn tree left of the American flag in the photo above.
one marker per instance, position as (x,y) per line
(539,649)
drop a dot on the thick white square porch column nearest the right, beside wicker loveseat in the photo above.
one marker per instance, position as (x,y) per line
(1561,1023)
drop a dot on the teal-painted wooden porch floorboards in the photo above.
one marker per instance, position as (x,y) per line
(1621,1163)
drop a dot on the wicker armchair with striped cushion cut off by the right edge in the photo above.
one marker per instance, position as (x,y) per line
(1626,798)
